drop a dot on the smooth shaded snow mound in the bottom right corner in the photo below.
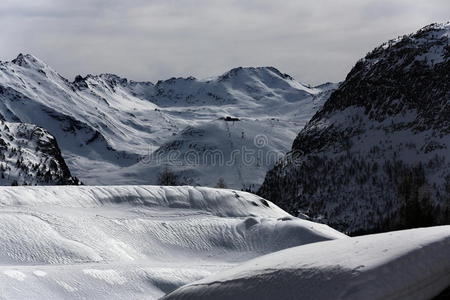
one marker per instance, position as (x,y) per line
(411,264)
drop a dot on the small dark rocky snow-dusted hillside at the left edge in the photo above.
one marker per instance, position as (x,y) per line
(29,155)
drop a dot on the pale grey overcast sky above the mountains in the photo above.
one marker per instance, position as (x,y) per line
(314,41)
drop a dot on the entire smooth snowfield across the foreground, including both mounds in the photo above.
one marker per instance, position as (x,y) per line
(145,242)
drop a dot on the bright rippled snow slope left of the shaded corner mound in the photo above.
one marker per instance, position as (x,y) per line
(140,242)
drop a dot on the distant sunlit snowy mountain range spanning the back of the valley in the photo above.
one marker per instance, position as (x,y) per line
(108,126)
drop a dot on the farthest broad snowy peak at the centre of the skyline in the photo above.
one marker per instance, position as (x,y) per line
(239,85)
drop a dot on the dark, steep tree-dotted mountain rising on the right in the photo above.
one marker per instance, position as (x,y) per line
(375,157)
